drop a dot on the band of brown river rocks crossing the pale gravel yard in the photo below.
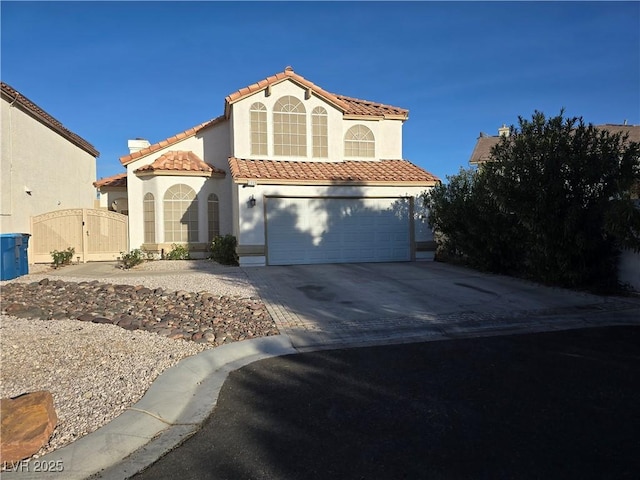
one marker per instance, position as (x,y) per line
(180,314)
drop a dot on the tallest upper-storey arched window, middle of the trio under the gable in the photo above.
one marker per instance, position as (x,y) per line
(289,127)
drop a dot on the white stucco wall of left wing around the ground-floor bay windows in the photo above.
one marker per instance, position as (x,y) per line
(212,146)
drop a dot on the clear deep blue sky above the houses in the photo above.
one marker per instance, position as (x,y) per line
(111,71)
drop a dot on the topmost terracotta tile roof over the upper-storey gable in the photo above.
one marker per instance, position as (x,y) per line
(349,106)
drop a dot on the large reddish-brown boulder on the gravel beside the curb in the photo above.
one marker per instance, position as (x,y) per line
(27,423)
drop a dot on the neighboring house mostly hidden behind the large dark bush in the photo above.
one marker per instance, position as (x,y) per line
(629,264)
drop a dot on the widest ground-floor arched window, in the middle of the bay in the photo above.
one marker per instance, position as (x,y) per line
(180,214)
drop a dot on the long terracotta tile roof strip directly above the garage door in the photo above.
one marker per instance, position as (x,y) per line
(349,172)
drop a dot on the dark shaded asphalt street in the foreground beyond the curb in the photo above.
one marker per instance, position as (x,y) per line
(547,405)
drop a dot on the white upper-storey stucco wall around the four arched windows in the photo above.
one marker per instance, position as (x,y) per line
(387,133)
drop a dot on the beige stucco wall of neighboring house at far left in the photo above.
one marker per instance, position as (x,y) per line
(58,174)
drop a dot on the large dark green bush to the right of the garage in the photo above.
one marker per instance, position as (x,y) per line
(553,204)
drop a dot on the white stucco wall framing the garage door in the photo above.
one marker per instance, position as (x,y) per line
(250,228)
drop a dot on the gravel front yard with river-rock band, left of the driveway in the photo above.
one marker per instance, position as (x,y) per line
(97,369)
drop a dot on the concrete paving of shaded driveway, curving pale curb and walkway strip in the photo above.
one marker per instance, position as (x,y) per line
(319,307)
